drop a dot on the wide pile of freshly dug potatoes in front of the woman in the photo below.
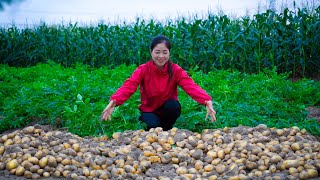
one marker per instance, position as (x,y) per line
(230,153)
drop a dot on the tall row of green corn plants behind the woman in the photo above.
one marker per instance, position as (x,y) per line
(288,40)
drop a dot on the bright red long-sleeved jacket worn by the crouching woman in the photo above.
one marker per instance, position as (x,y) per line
(155,87)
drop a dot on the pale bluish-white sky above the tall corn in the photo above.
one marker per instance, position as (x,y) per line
(32,12)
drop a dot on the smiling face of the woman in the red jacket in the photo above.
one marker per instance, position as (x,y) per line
(160,55)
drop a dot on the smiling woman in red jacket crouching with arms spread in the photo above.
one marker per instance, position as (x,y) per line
(158,80)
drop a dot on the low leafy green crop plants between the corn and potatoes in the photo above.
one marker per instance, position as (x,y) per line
(75,97)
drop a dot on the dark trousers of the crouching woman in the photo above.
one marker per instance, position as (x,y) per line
(164,117)
